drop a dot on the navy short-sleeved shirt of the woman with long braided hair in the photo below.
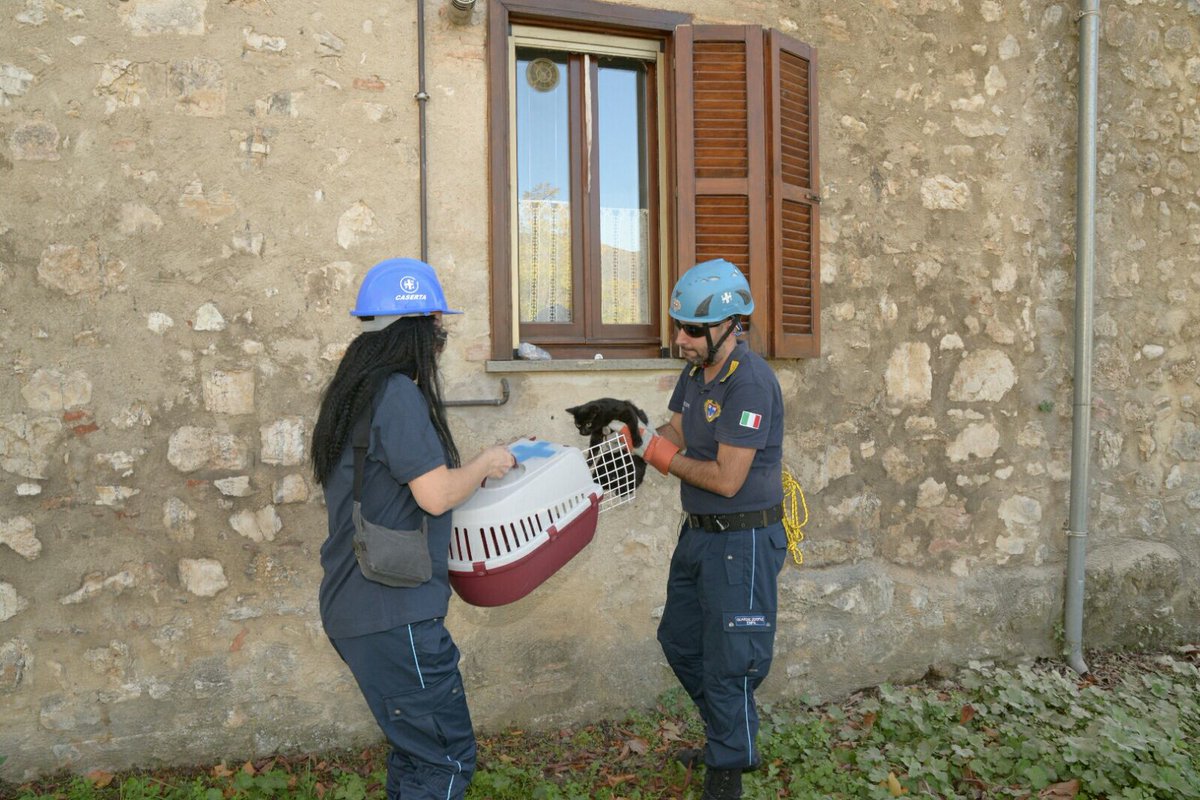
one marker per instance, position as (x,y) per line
(404,446)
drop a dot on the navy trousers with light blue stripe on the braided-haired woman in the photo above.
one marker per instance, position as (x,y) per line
(411,681)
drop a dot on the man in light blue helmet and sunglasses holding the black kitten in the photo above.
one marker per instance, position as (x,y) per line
(724,443)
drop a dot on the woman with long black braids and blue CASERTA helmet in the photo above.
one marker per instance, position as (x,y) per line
(394,637)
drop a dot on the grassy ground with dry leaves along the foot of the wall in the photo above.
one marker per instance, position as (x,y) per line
(632,760)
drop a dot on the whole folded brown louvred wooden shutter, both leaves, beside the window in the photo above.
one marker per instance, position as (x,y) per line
(747,172)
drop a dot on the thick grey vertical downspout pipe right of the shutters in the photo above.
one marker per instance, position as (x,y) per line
(1085,268)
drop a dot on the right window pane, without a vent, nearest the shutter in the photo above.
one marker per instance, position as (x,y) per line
(625,193)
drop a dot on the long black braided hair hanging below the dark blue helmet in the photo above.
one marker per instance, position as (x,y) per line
(410,346)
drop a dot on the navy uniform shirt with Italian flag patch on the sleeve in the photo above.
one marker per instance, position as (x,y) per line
(742,407)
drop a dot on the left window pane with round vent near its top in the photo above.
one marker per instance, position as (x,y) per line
(544,188)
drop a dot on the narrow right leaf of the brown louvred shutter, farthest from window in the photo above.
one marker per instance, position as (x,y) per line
(793,122)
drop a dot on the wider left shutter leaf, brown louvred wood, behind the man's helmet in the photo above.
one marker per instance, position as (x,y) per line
(721,155)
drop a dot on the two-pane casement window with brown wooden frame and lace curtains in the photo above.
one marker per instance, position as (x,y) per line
(583,122)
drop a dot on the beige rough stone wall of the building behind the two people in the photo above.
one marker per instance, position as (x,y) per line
(190,193)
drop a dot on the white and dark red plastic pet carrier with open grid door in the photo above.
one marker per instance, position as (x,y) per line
(518,531)
